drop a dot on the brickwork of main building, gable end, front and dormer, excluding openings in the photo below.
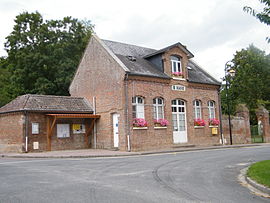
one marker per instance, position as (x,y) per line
(101,75)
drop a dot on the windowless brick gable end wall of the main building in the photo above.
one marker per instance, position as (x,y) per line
(100,75)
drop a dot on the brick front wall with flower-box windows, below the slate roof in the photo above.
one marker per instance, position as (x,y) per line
(153,138)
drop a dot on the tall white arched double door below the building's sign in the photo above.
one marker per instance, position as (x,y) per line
(179,121)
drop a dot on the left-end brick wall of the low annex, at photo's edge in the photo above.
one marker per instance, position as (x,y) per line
(11,132)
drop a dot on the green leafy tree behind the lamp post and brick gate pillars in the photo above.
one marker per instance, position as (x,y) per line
(251,84)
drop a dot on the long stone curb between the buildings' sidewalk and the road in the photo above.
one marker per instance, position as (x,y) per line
(133,154)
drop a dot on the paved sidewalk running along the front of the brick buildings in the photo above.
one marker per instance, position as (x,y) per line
(92,153)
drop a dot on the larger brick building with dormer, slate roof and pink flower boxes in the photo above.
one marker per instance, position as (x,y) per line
(128,83)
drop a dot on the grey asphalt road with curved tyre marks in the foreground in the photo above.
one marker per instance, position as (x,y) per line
(199,176)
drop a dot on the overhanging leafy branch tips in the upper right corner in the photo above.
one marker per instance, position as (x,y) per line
(263,16)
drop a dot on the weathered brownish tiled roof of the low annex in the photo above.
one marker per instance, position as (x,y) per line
(48,103)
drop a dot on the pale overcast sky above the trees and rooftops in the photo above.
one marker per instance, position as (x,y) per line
(213,30)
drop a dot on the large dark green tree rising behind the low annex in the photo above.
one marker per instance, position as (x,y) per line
(43,55)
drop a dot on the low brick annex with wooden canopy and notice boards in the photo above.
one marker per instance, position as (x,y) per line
(40,123)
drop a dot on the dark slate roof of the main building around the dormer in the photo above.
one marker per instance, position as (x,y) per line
(141,66)
